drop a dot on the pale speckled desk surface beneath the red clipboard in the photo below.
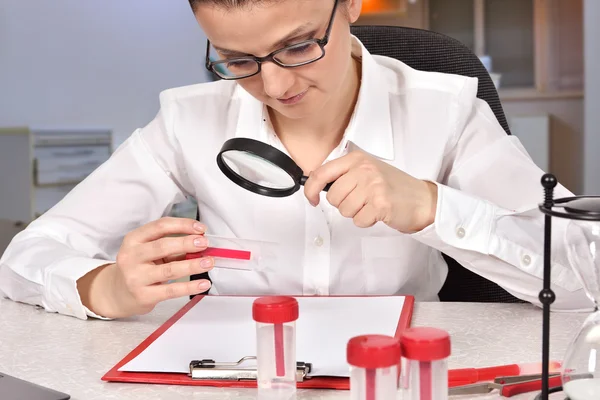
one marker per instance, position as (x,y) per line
(71,355)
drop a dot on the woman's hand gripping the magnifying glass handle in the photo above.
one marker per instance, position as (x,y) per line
(369,190)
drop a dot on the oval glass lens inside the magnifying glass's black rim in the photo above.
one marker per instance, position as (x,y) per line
(257,170)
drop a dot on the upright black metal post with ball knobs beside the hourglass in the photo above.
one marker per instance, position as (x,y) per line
(547,296)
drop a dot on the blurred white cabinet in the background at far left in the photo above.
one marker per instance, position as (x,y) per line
(38,167)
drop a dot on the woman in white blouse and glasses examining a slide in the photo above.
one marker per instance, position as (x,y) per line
(420,165)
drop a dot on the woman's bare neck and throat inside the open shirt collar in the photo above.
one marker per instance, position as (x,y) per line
(310,140)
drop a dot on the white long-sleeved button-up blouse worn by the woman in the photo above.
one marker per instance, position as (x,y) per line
(430,125)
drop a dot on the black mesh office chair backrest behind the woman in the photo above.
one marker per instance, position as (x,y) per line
(430,51)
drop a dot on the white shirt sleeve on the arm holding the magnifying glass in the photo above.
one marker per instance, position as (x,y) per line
(487,214)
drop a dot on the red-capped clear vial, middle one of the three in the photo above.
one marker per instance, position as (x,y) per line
(374,367)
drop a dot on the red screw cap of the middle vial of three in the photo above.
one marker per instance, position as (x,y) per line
(373,351)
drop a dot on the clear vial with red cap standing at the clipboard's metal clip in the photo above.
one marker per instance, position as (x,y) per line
(275,318)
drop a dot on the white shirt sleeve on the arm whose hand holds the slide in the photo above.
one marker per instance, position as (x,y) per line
(140,182)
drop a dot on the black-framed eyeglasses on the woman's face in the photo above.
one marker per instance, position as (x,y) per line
(295,55)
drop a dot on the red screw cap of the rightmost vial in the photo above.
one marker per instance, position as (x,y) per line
(425,344)
